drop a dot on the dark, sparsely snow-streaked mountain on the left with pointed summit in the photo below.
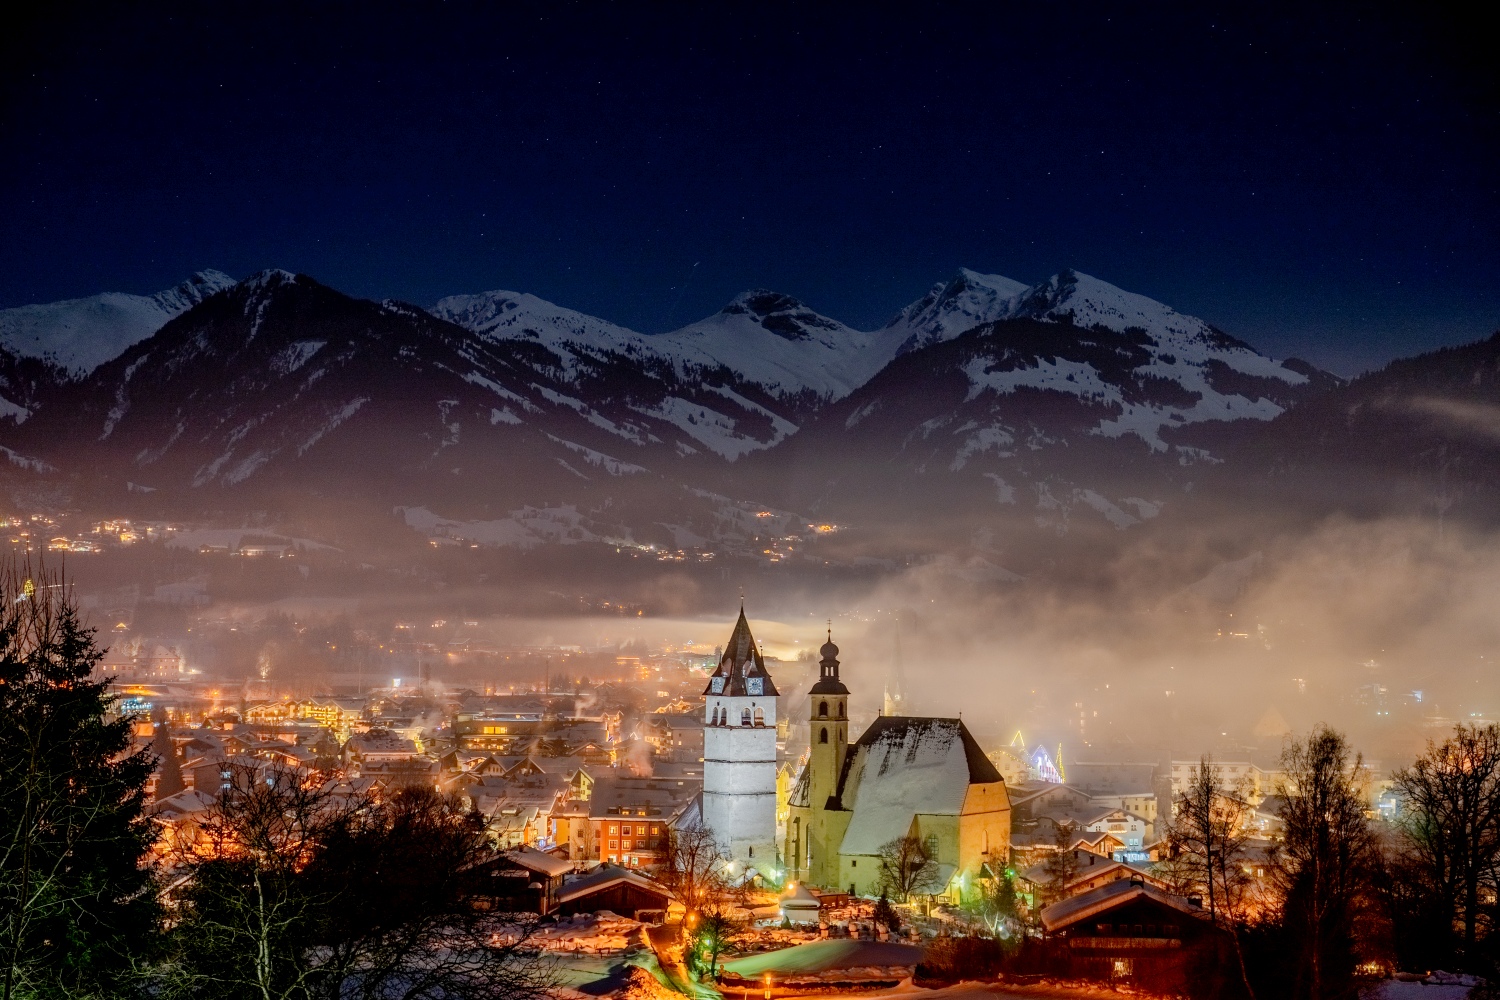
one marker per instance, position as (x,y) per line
(283,383)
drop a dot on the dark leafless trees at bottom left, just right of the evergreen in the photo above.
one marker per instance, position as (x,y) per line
(301,890)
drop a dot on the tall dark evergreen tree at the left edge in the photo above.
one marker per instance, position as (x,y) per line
(77,905)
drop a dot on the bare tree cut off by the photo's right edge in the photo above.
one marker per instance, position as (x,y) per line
(1453,825)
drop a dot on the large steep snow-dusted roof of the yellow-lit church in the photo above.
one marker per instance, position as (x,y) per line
(904,767)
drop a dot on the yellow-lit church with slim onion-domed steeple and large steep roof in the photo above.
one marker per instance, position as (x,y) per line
(904,776)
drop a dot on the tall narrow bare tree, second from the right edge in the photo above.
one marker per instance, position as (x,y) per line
(1325,863)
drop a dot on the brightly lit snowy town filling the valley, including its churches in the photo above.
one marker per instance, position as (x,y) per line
(632,795)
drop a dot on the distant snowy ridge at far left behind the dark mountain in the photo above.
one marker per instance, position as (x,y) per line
(80,335)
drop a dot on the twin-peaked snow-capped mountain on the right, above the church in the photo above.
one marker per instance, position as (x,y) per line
(1078,397)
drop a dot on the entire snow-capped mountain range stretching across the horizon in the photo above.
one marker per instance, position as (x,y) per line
(1037,401)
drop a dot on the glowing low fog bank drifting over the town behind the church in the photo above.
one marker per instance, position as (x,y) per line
(1384,629)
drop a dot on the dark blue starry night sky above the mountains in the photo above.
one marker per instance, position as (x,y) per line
(1318,184)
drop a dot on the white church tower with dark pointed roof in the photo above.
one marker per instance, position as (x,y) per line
(740,753)
